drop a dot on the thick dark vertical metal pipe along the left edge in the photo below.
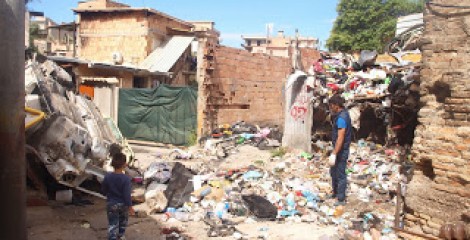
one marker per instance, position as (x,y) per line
(12,118)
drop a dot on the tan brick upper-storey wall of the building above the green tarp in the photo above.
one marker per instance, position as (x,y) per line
(135,34)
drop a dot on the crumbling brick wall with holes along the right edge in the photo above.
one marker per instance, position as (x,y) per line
(440,189)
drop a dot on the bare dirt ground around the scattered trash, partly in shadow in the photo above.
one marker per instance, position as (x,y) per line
(60,222)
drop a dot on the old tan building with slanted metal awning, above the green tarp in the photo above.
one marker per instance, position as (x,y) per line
(118,46)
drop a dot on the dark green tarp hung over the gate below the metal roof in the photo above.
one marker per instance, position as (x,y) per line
(164,114)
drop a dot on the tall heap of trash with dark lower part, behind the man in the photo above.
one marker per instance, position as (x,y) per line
(383,95)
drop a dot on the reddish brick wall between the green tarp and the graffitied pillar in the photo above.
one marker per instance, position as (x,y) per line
(239,85)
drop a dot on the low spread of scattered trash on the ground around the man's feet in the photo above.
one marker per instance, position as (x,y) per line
(291,188)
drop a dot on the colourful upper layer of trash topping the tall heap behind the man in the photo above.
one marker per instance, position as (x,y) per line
(357,79)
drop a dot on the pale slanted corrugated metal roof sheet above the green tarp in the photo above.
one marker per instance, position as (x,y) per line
(163,58)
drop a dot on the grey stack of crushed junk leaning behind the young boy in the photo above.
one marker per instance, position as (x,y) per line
(64,130)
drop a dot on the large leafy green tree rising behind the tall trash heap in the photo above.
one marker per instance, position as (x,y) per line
(368,24)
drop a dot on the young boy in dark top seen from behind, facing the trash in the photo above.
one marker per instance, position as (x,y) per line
(117,188)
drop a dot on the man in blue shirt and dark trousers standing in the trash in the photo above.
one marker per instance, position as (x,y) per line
(341,137)
